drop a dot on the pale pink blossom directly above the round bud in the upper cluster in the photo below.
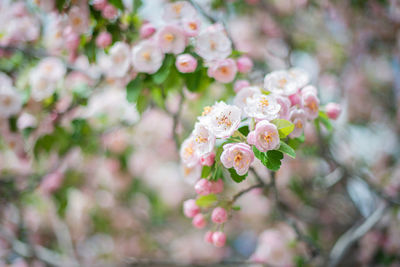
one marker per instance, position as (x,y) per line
(171,39)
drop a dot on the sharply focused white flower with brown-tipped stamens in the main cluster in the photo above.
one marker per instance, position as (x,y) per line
(223,119)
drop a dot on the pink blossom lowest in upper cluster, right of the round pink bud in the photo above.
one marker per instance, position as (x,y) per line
(223,71)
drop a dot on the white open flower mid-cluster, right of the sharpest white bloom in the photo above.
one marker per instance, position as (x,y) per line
(262,107)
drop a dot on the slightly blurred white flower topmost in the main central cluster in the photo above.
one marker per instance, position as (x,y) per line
(280,82)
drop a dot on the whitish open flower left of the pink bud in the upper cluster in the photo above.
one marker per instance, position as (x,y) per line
(147,57)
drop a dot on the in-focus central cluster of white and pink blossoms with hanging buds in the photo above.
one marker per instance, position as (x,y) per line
(261,120)
